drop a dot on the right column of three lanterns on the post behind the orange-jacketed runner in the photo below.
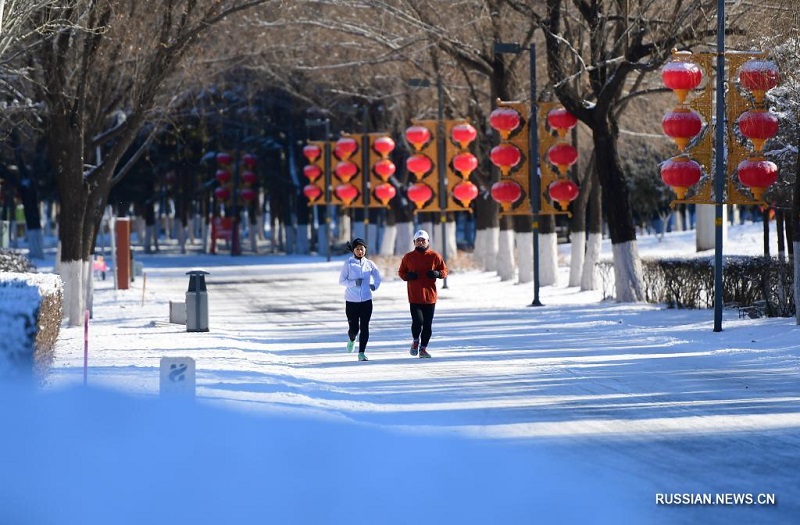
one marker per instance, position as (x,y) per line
(461,163)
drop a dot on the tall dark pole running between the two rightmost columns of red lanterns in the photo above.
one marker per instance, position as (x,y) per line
(721,165)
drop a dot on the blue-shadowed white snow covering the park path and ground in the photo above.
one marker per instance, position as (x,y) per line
(579,411)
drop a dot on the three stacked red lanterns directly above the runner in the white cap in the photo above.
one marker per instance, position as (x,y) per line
(421,136)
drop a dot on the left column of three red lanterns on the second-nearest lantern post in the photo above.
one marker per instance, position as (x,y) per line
(511,157)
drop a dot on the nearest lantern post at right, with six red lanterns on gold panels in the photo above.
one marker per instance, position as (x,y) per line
(754,173)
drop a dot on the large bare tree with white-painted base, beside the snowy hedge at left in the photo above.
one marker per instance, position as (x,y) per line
(103,72)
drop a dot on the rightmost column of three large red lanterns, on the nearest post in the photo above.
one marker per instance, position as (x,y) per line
(758,125)
